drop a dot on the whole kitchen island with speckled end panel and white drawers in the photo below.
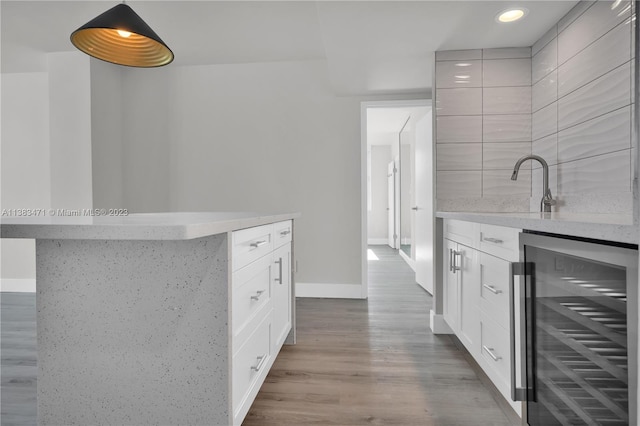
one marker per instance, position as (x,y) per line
(168,318)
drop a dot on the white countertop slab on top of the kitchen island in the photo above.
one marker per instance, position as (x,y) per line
(137,231)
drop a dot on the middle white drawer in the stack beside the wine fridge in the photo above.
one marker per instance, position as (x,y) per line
(494,288)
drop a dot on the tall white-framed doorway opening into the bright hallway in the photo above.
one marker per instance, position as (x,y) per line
(397,183)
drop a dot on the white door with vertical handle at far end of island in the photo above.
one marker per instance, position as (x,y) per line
(281,294)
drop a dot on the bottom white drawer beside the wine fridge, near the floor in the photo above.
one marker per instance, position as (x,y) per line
(495,353)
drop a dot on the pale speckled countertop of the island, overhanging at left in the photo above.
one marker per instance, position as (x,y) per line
(143,226)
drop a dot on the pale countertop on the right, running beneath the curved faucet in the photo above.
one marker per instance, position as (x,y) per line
(609,227)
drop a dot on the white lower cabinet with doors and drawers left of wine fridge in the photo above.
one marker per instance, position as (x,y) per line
(476,291)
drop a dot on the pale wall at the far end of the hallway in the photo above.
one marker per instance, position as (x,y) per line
(378,216)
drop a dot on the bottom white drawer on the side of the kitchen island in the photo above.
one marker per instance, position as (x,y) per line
(249,368)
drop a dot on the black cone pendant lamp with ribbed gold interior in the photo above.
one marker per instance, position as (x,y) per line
(120,36)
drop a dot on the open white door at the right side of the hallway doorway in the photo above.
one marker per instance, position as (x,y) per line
(423,193)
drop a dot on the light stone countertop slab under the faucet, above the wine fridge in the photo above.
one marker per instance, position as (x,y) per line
(615,232)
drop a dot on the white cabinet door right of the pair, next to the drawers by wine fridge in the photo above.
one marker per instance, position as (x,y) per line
(469,318)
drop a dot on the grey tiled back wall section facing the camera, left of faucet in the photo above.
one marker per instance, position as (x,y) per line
(474,144)
